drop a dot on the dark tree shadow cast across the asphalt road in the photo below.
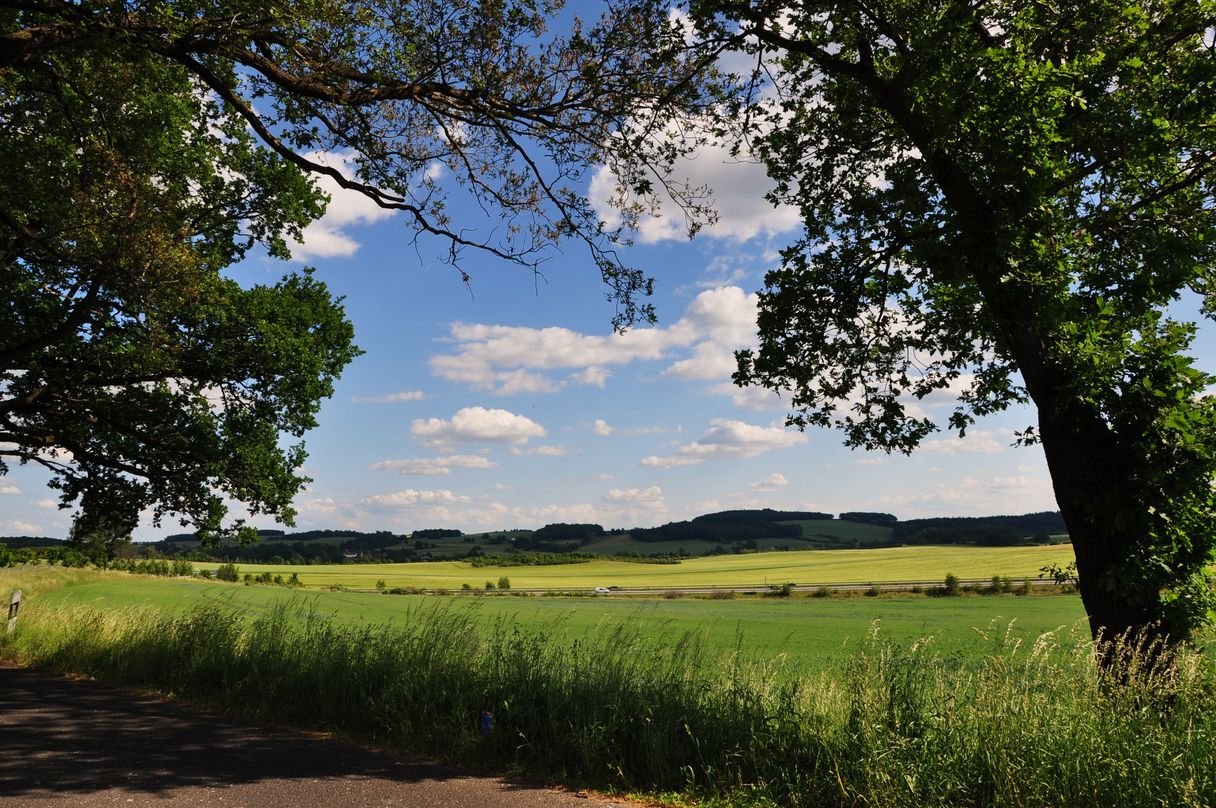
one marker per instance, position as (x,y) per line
(61,737)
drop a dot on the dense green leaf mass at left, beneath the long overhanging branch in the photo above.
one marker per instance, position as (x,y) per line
(123,344)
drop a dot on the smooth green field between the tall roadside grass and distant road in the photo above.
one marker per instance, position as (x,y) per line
(809,633)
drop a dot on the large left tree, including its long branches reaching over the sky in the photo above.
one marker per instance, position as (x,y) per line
(147,145)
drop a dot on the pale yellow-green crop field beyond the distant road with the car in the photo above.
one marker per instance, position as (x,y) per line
(758,569)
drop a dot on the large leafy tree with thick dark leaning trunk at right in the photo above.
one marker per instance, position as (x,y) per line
(1005,199)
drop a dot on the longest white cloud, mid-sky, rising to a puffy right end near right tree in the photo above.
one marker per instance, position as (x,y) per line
(516,360)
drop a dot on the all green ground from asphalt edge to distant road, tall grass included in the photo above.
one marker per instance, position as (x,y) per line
(638,704)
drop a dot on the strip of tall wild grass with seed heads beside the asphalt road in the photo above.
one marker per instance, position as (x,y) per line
(893,727)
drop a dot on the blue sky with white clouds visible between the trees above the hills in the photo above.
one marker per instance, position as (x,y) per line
(510,402)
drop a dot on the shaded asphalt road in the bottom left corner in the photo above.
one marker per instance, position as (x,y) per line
(69,743)
